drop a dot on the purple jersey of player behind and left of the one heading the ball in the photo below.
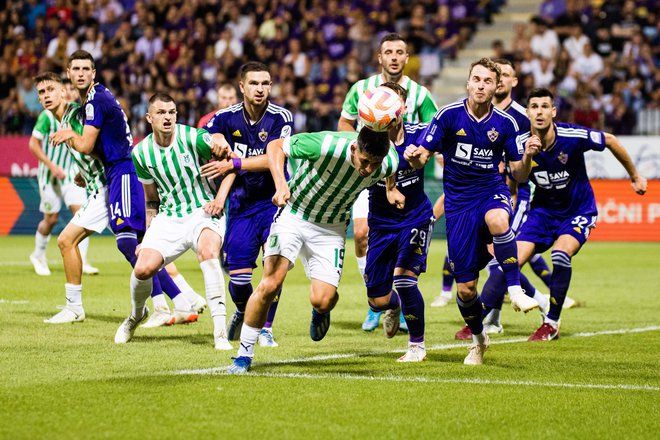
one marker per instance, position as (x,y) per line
(252,191)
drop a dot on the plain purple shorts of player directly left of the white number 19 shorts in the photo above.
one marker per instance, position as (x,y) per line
(245,238)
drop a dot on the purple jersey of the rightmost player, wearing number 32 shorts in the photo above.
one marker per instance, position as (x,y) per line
(560,175)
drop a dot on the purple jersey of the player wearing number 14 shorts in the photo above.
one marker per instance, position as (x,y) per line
(114,143)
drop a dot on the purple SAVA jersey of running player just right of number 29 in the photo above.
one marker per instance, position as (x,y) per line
(472,150)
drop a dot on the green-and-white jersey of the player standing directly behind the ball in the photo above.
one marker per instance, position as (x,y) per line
(420,104)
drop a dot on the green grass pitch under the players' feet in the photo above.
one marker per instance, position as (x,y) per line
(601,379)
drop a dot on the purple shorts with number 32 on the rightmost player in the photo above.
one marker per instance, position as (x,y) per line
(543,228)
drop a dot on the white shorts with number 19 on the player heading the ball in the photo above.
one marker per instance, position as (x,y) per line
(320,246)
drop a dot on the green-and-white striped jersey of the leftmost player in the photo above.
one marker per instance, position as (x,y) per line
(44,128)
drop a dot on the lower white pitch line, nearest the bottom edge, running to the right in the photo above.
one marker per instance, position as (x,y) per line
(463,381)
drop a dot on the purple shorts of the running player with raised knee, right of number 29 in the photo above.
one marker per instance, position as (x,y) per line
(468,237)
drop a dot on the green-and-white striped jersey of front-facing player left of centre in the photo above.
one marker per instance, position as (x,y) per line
(175,169)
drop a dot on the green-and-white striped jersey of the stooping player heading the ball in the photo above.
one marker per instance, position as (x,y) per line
(326,183)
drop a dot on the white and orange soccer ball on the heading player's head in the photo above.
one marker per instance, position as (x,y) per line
(380,108)
